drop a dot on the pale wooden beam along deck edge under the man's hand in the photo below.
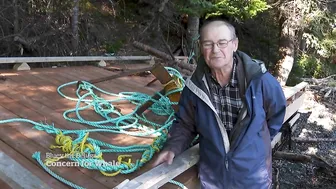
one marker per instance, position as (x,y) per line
(163,173)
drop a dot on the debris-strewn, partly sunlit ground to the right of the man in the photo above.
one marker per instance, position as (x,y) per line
(316,121)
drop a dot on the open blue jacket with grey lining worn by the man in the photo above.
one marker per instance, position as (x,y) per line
(241,160)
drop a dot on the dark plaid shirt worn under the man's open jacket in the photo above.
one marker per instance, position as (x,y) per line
(226,99)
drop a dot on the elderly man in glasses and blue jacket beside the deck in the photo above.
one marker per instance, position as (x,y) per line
(235,106)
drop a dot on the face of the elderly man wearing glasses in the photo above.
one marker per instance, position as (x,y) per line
(218,45)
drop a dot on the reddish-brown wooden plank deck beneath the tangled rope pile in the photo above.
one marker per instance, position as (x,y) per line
(33,95)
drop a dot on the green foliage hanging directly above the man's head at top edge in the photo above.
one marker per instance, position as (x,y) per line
(236,8)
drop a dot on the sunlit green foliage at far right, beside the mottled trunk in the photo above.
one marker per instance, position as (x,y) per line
(318,24)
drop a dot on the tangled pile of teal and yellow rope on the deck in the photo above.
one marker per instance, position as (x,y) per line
(113,122)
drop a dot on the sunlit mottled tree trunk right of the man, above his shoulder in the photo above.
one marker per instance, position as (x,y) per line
(286,52)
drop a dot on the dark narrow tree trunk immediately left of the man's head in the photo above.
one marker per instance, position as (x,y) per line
(192,35)
